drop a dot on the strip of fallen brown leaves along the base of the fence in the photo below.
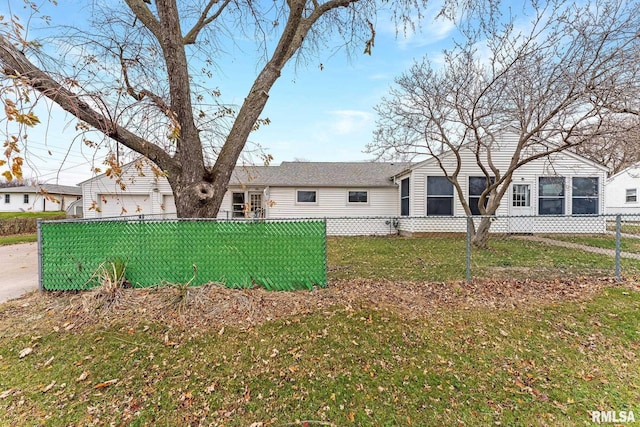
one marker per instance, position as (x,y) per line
(213,306)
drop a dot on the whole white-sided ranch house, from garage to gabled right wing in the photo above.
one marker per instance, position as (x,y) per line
(417,197)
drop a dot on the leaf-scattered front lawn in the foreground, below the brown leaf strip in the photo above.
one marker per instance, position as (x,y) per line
(540,364)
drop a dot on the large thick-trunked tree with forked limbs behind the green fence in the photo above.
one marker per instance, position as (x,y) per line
(142,73)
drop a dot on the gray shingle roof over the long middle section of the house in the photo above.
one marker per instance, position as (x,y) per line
(319,174)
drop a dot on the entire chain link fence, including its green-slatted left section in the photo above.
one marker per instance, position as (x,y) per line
(293,254)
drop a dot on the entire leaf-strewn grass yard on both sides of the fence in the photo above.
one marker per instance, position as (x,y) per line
(357,353)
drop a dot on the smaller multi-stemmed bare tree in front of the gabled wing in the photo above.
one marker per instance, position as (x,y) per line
(550,79)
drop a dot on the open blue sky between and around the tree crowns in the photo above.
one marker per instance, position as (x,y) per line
(316,115)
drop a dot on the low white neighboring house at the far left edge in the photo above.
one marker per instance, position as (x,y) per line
(39,198)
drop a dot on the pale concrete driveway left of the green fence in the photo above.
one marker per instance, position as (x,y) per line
(18,270)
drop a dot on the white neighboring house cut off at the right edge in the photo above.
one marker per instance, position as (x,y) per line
(622,191)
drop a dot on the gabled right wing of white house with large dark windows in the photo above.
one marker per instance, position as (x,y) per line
(547,191)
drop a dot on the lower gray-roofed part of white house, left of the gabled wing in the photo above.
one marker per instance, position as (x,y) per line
(290,190)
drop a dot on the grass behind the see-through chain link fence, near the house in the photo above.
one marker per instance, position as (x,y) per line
(443,258)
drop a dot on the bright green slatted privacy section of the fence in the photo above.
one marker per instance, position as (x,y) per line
(278,255)
